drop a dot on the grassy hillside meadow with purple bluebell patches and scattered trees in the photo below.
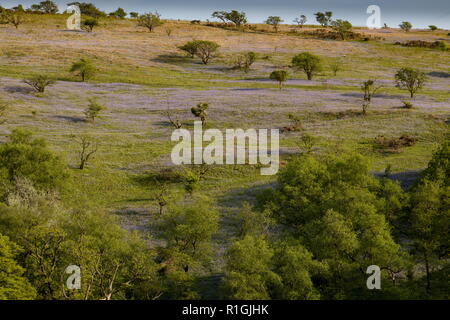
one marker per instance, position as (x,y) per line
(140,75)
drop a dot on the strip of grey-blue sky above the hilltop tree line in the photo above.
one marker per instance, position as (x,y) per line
(420,13)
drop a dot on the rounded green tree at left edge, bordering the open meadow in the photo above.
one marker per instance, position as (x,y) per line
(23,156)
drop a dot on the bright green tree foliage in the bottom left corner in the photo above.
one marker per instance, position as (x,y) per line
(13,286)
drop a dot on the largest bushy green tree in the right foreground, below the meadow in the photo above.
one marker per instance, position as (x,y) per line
(335,209)
